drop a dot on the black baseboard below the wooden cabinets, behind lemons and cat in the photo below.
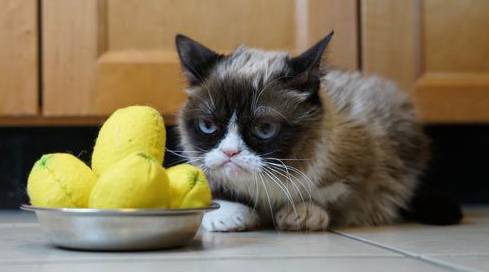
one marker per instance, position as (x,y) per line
(458,168)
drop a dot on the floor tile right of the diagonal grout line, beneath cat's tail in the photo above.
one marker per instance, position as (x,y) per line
(465,245)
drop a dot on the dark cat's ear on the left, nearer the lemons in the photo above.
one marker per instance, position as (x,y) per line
(195,58)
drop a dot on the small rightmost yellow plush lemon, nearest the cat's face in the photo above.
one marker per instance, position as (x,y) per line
(188,187)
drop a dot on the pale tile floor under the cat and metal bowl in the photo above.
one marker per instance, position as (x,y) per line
(407,247)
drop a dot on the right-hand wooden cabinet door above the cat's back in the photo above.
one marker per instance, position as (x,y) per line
(438,49)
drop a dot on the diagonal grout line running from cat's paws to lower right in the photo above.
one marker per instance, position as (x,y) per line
(426,259)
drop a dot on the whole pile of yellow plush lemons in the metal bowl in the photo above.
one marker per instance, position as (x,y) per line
(126,170)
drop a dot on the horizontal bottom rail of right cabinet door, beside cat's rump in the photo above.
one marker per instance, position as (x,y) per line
(453,98)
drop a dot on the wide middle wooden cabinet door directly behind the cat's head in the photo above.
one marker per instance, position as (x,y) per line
(105,54)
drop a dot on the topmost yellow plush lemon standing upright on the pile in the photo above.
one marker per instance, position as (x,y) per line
(128,130)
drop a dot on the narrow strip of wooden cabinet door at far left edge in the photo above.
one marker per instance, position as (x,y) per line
(18,58)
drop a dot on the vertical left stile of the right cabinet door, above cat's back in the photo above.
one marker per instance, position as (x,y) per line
(390,40)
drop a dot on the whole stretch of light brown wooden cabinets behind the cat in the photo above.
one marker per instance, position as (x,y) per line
(99,55)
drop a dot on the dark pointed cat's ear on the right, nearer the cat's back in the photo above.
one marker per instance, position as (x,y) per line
(311,59)
